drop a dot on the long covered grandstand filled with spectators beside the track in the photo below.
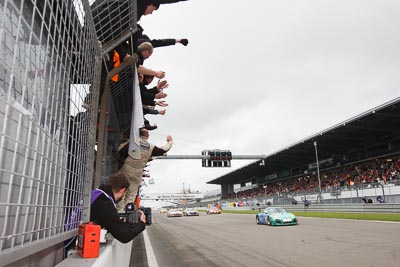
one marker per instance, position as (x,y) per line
(354,155)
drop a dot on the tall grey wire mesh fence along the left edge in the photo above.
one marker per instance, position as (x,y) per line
(49,65)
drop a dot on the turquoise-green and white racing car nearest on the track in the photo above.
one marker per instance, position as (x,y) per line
(275,216)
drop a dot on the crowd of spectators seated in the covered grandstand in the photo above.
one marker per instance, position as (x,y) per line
(377,171)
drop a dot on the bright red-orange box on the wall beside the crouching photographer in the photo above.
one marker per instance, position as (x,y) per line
(89,240)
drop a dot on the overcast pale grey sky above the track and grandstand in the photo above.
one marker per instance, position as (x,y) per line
(260,75)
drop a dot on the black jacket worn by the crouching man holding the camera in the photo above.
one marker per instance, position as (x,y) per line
(103,212)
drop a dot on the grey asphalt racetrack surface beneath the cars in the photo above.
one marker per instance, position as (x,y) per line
(236,240)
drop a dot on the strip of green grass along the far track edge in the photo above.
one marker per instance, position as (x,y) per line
(392,217)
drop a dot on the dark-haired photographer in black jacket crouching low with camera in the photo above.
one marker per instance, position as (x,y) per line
(104,212)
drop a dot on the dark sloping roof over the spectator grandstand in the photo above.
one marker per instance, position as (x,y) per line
(371,130)
